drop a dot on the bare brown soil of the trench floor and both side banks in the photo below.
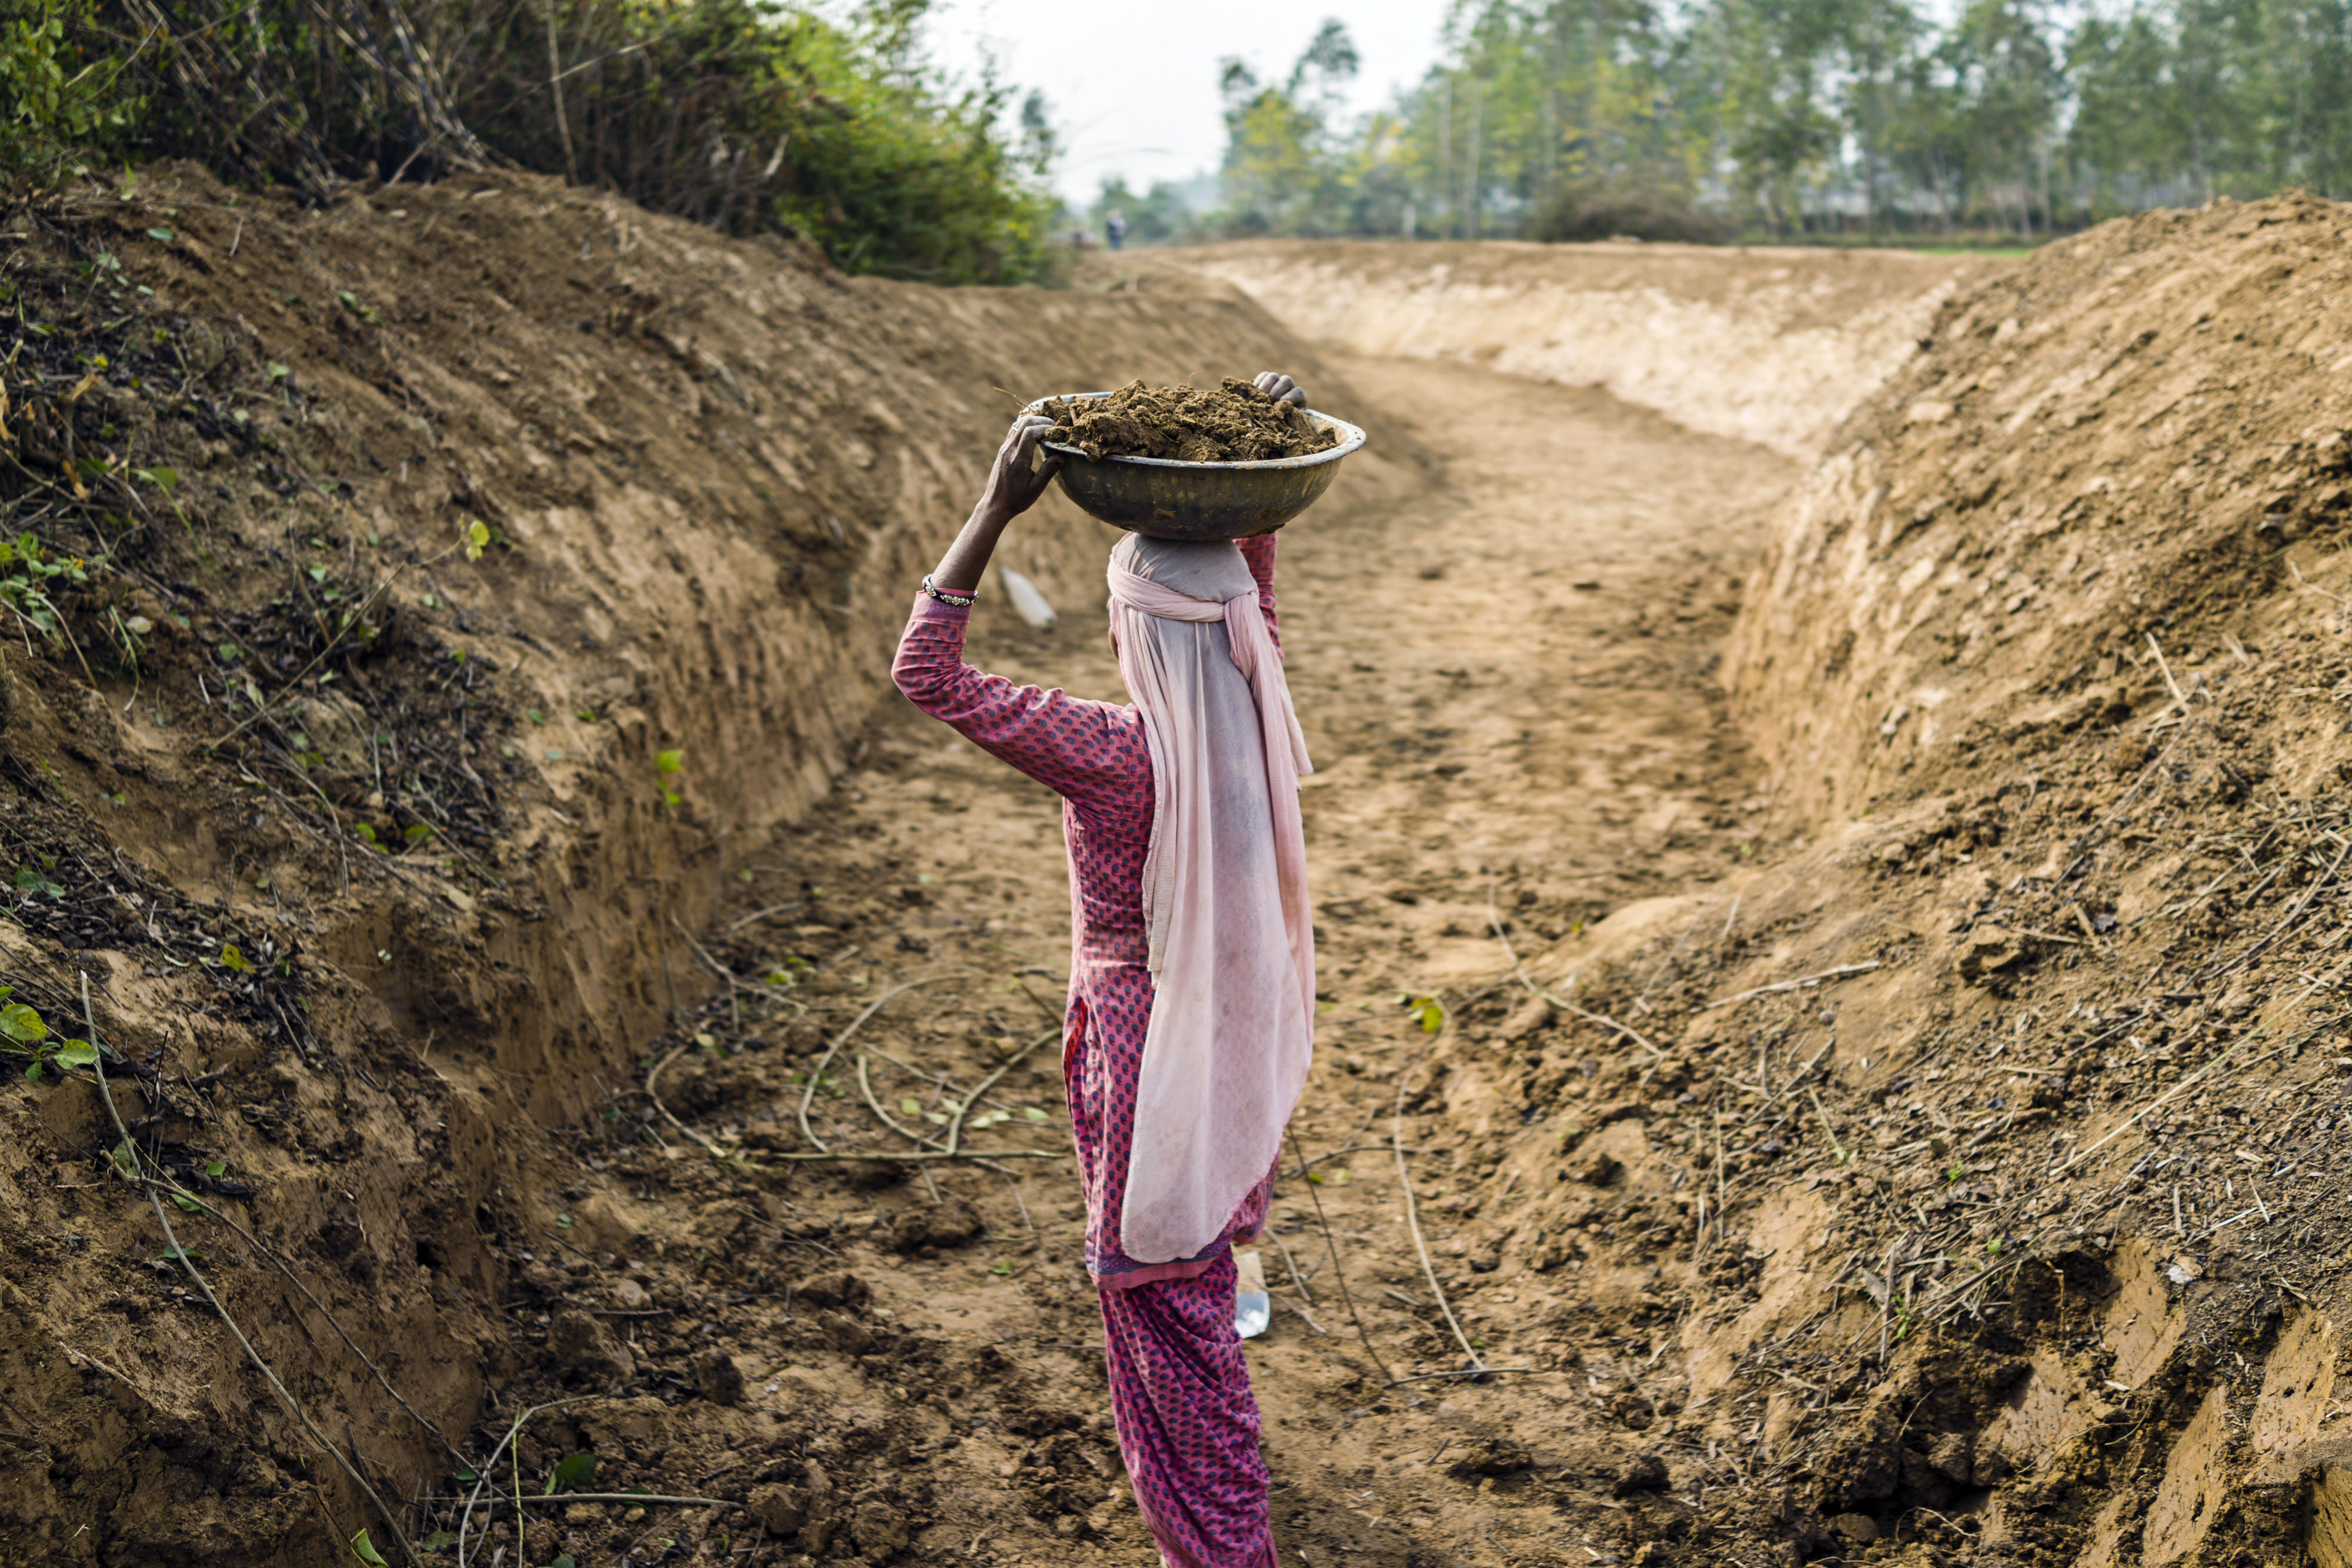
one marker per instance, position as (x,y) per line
(1833,972)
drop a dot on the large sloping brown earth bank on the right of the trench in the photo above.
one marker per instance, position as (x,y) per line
(1993,1137)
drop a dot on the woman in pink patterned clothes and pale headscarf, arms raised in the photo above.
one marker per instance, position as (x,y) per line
(1191,970)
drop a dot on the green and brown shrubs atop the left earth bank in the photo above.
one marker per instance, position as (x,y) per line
(723,112)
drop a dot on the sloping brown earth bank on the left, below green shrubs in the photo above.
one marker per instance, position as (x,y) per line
(429,608)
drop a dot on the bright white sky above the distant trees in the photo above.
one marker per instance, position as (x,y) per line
(1135,81)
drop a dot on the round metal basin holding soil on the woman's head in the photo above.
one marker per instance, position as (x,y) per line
(1168,500)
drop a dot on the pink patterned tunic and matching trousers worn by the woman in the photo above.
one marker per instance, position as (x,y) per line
(1180,1391)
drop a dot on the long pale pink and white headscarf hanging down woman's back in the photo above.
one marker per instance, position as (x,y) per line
(1224,892)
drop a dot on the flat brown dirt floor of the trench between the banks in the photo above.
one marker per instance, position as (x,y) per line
(1509,690)
